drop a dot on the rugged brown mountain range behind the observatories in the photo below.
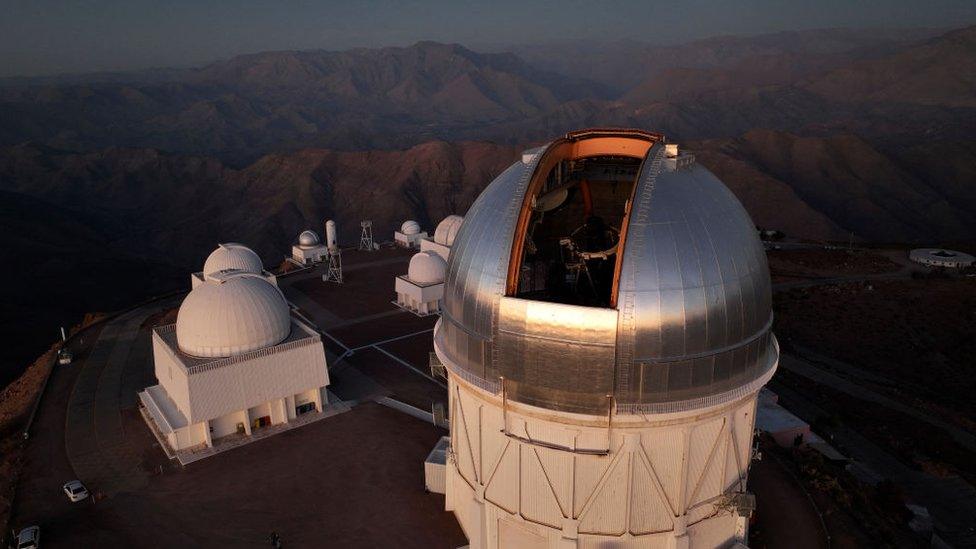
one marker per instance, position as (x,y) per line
(134,177)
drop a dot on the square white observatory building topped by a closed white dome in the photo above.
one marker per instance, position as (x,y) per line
(234,362)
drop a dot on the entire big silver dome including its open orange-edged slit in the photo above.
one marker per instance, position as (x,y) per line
(675,315)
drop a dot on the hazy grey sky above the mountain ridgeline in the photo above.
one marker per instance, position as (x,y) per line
(48,36)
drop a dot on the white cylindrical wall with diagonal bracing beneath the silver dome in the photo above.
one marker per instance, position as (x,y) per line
(663,481)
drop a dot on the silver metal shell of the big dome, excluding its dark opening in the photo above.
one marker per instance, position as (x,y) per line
(690,323)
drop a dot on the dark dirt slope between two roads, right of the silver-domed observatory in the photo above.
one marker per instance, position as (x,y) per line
(918,334)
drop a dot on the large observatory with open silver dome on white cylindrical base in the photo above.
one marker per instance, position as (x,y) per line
(605,332)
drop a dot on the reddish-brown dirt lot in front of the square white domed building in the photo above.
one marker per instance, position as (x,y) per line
(361,486)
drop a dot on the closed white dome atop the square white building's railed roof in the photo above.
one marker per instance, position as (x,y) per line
(230,317)
